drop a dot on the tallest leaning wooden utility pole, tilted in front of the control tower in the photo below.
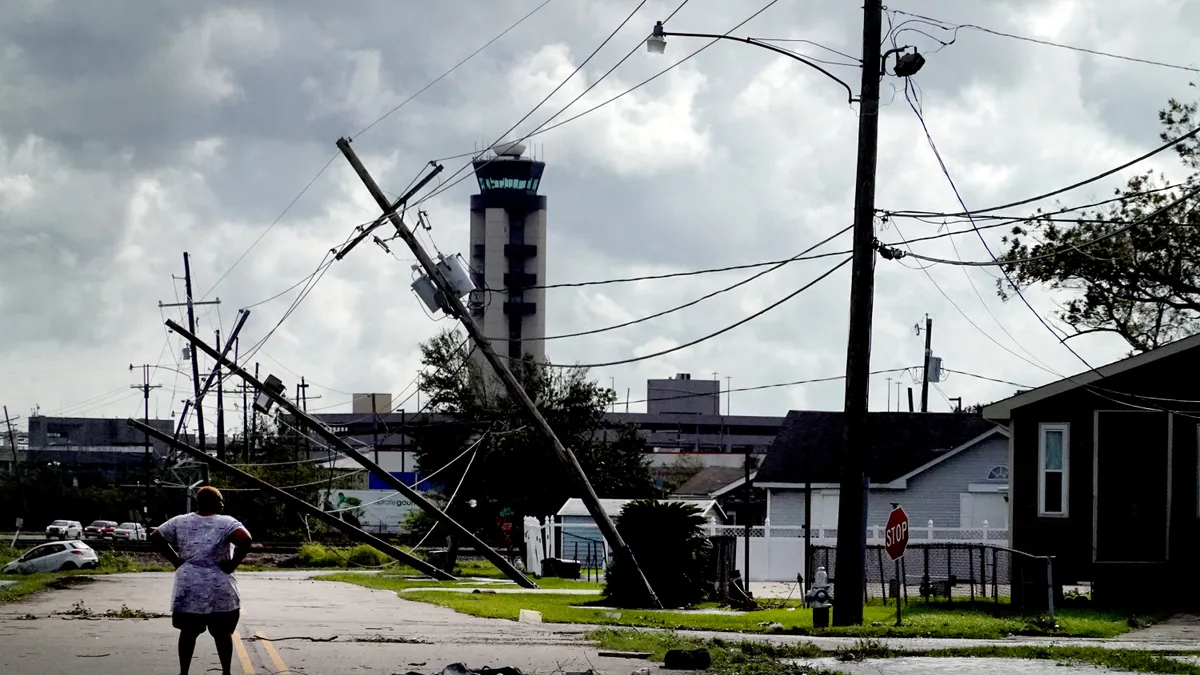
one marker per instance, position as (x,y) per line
(455,308)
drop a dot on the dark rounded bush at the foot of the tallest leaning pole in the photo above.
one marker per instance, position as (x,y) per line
(668,540)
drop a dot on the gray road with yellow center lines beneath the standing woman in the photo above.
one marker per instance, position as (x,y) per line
(375,632)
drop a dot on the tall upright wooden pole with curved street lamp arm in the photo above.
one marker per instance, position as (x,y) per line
(851,509)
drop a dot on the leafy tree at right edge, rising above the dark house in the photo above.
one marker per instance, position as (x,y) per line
(1142,284)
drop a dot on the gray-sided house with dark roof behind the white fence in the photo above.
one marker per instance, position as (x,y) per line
(951,469)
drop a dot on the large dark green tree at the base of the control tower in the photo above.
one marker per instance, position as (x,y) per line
(513,471)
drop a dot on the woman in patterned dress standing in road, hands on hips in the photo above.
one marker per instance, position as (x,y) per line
(206,596)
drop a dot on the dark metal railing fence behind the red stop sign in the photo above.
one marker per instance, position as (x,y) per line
(946,572)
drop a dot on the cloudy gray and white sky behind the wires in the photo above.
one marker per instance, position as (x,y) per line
(134,132)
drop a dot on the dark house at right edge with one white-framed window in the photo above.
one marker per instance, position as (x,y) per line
(1105,476)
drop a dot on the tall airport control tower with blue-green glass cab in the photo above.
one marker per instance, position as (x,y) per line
(508,252)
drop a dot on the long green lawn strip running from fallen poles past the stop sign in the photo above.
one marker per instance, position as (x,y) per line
(991,623)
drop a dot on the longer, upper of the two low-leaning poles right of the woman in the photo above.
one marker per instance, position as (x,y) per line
(493,557)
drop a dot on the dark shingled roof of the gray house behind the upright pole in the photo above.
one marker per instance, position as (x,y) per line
(901,445)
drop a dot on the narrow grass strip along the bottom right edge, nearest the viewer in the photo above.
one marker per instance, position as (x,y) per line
(763,659)
